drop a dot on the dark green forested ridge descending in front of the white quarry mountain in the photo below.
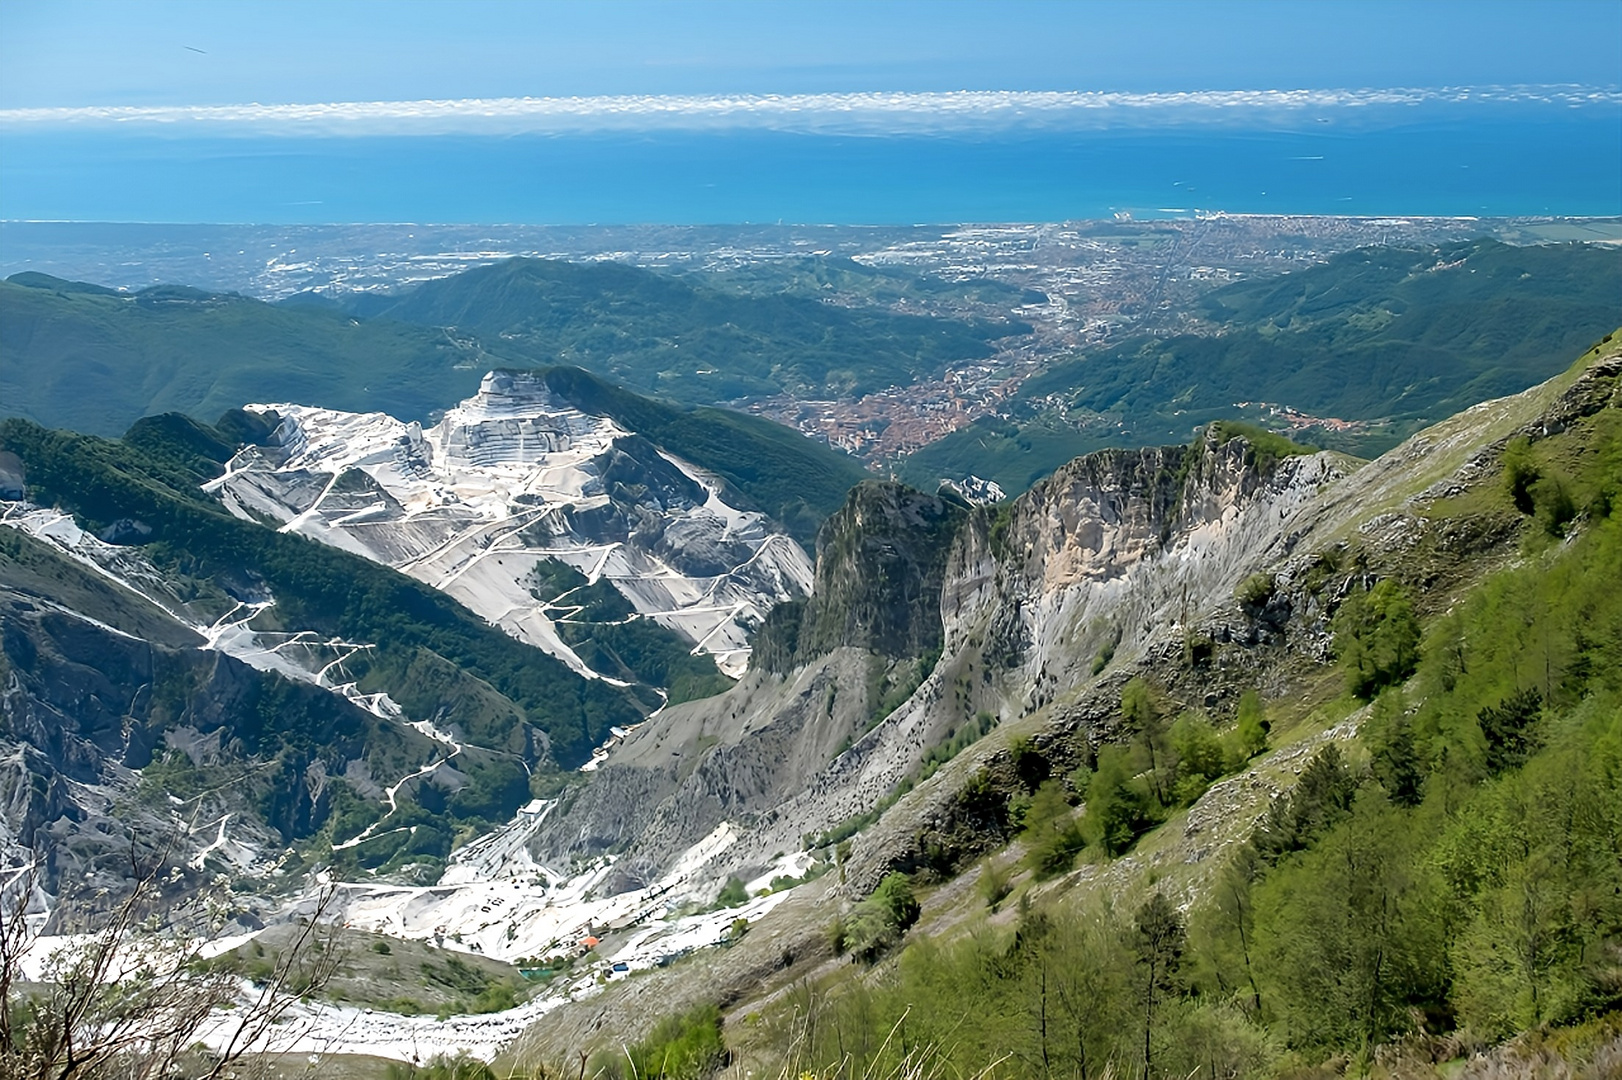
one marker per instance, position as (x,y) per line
(429,653)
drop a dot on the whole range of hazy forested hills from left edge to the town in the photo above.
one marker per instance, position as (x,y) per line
(184,349)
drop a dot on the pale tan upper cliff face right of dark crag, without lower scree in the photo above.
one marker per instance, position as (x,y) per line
(1115,552)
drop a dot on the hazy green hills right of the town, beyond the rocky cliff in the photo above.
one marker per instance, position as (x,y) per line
(1386,338)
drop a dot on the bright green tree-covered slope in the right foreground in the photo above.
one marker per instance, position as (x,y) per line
(1448,881)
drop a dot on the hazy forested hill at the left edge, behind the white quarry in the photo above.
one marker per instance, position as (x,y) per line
(95,361)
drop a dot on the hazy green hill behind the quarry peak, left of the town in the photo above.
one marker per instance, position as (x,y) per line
(676,338)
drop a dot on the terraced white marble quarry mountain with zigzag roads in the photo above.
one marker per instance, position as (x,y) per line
(515,476)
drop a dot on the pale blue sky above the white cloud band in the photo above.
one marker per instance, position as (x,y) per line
(66,54)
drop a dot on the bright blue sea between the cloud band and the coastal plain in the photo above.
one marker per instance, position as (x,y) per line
(1511,163)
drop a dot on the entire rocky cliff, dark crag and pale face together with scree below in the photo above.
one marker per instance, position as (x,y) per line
(1117,560)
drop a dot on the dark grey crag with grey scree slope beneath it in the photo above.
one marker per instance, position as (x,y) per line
(823,672)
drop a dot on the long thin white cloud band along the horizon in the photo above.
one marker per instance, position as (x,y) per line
(833,114)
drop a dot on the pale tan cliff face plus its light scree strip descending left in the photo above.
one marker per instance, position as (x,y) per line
(1118,560)
